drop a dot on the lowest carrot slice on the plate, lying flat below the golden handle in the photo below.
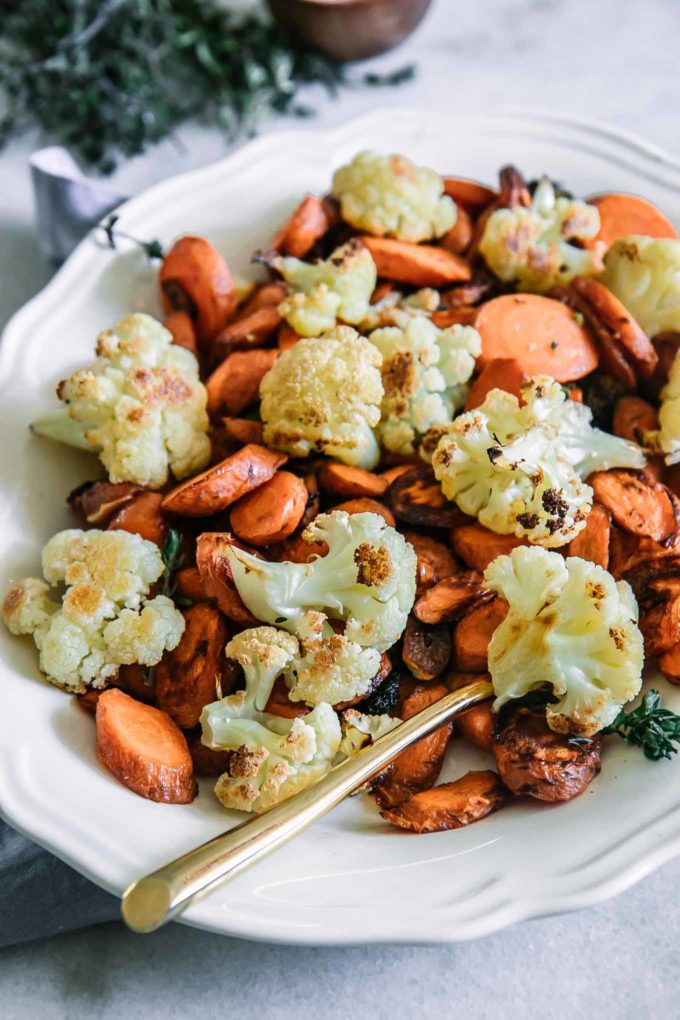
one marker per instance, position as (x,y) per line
(450,806)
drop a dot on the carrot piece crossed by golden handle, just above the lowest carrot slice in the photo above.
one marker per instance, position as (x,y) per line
(419,767)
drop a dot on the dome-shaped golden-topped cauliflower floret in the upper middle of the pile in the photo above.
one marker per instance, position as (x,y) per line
(324,396)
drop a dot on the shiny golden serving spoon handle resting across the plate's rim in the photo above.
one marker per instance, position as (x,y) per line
(151,902)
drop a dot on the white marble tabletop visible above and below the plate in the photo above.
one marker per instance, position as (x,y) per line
(612,61)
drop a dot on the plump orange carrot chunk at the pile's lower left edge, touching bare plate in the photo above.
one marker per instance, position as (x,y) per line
(144,749)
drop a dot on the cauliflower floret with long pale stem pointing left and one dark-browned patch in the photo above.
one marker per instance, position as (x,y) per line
(368,579)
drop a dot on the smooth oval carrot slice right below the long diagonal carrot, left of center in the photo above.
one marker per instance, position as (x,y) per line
(272,513)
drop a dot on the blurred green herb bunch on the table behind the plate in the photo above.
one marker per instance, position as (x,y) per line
(109,78)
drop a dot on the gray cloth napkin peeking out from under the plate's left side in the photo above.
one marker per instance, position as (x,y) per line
(41,896)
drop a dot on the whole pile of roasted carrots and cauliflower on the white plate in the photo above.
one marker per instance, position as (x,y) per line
(438,439)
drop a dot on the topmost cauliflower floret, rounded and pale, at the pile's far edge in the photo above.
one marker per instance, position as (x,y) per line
(391,197)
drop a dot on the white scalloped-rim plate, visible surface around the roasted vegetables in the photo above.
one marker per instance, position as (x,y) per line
(351,879)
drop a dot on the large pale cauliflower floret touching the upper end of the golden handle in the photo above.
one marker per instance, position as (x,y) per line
(570,627)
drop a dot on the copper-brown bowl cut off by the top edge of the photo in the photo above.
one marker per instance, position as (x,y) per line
(349,30)
